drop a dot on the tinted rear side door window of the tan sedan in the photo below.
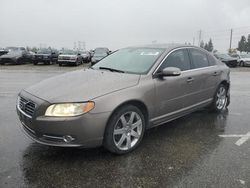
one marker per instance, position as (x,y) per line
(199,58)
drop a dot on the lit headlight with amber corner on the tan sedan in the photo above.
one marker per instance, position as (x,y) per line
(69,109)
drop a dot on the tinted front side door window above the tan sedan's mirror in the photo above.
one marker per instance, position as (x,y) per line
(179,59)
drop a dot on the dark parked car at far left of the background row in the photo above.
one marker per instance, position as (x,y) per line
(15,55)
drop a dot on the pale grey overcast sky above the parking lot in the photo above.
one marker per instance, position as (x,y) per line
(120,23)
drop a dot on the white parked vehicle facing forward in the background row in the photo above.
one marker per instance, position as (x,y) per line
(70,57)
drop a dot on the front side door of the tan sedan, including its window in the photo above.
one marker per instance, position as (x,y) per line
(171,92)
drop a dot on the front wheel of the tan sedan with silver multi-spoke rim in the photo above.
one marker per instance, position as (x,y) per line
(124,130)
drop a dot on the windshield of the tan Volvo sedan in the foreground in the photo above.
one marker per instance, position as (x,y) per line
(131,60)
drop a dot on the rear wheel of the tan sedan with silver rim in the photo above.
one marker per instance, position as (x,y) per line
(220,101)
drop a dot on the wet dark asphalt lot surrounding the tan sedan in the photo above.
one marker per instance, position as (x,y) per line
(187,152)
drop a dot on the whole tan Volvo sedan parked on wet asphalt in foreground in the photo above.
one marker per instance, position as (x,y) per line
(113,102)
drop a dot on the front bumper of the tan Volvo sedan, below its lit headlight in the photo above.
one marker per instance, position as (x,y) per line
(84,131)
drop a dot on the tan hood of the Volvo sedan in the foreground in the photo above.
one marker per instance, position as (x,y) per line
(82,85)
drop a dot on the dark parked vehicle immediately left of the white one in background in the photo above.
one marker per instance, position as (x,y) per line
(46,56)
